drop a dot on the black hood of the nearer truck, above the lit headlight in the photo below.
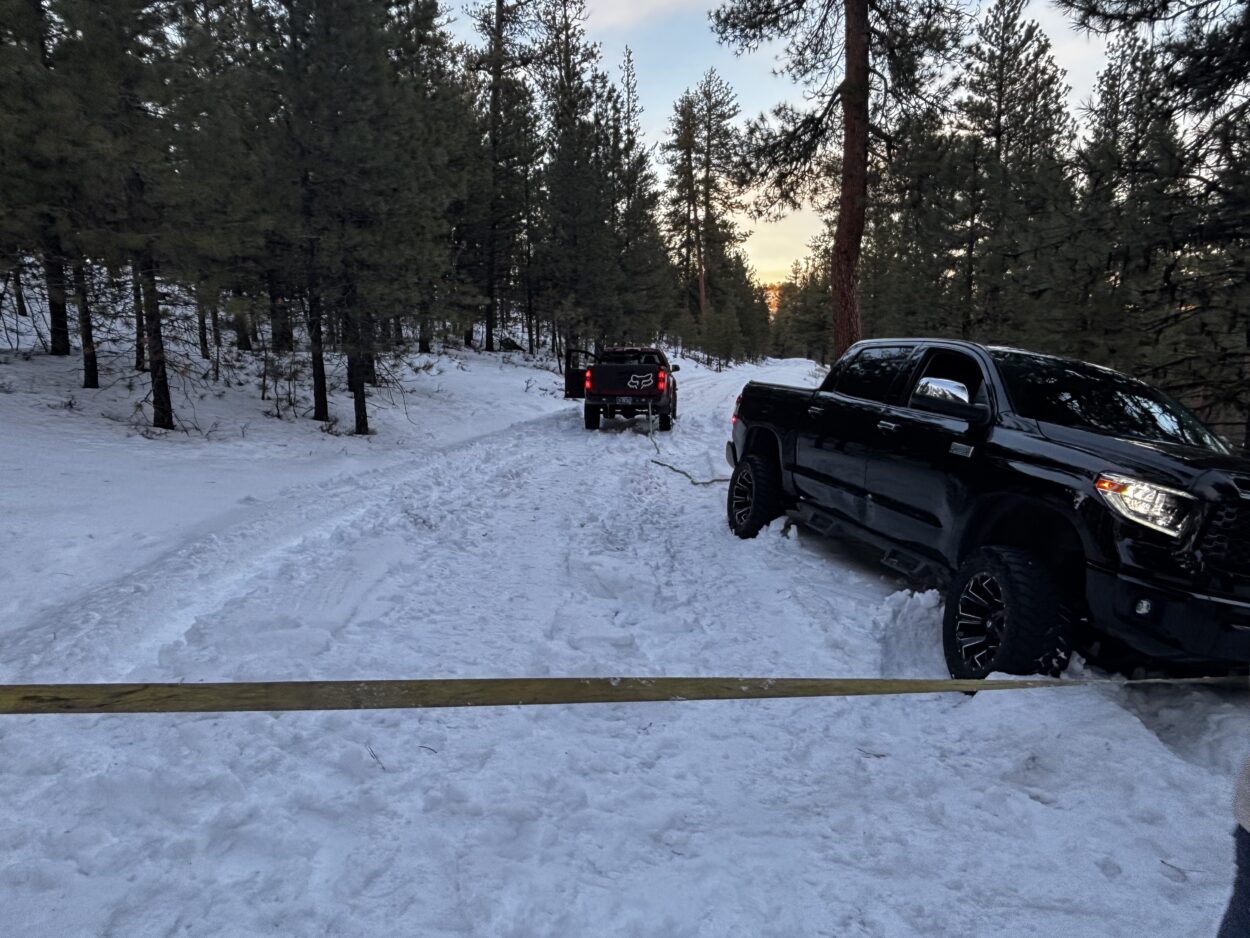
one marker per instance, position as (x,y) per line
(1167,463)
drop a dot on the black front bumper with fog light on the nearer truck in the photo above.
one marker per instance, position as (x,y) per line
(1171,623)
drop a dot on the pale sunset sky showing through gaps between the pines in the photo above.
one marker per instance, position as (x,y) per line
(674,46)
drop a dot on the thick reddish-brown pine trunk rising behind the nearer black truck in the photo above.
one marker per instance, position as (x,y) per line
(853,201)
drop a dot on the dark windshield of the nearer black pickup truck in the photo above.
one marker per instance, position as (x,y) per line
(1074,395)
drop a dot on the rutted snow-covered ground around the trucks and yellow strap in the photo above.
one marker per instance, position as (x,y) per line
(484,533)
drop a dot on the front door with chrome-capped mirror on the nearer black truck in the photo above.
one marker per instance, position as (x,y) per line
(922,465)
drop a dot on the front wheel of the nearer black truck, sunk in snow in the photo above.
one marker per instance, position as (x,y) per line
(1006,613)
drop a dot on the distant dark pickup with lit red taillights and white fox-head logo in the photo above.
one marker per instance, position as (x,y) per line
(628,382)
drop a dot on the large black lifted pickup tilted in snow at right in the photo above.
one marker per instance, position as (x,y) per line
(1059,503)
